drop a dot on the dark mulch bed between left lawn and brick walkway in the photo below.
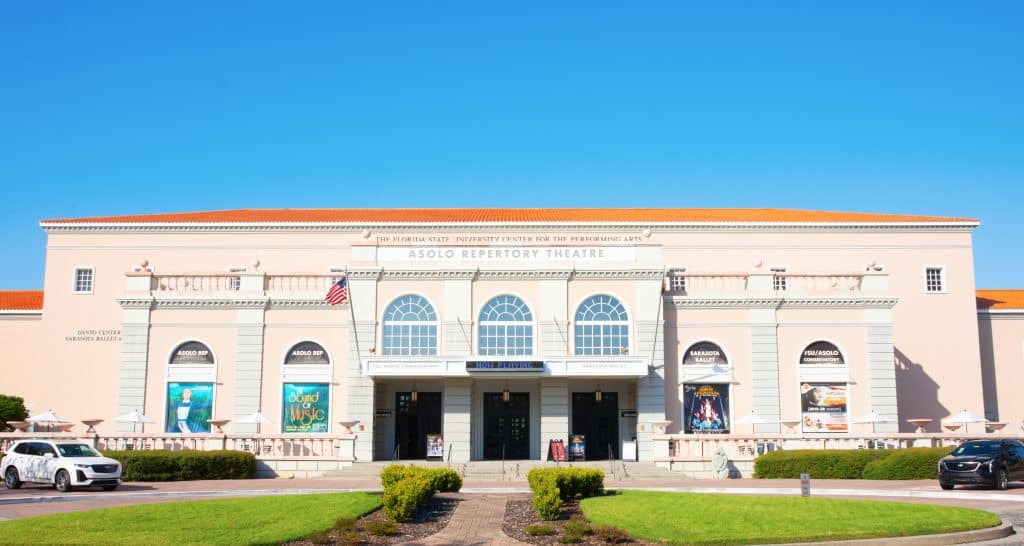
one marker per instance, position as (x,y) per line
(433,517)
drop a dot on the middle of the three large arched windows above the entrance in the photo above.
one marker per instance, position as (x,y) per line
(506,328)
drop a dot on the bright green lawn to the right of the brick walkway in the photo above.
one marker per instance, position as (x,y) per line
(706,519)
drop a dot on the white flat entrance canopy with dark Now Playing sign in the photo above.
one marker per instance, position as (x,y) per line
(504,367)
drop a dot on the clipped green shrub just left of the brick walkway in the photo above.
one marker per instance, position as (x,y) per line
(408,487)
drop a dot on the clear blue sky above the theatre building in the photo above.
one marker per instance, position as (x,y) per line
(145,107)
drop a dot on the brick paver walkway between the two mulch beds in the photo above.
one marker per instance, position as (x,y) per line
(477,522)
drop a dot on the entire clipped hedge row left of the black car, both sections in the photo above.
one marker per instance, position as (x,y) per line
(913,464)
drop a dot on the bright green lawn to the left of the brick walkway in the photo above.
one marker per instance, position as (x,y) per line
(229,522)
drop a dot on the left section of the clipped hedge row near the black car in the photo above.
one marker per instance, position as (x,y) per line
(821,465)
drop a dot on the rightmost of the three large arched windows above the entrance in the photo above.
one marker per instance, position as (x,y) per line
(602,327)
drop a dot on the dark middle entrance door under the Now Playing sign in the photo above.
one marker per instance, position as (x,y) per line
(506,426)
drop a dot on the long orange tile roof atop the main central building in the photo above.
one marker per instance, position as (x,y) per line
(510,216)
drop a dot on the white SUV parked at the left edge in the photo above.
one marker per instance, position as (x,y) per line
(62,465)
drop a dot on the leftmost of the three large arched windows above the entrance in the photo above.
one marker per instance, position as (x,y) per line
(410,327)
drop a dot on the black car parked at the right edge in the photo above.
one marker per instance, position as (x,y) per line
(984,463)
